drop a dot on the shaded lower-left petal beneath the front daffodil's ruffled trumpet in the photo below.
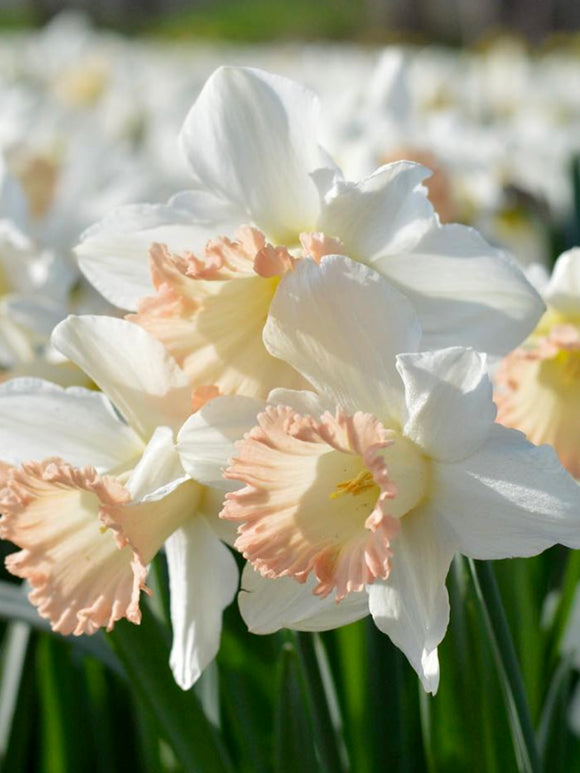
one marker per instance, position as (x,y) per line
(268,605)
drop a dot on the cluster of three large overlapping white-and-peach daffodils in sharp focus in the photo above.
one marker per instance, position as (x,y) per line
(301,374)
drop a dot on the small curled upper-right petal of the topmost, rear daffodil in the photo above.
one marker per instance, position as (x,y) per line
(383,214)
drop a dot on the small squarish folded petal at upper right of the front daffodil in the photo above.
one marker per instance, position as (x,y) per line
(449,401)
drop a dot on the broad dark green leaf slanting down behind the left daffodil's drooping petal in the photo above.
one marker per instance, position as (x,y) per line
(144,652)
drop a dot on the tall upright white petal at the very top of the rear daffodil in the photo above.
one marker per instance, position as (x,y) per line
(250,137)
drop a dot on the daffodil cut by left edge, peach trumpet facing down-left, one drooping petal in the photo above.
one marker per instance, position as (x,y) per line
(105,494)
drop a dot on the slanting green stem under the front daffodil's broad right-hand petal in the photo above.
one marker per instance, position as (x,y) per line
(507,663)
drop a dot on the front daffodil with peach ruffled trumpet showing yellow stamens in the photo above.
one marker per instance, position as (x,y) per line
(365,489)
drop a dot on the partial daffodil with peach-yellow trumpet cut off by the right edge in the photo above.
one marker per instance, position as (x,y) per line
(538,385)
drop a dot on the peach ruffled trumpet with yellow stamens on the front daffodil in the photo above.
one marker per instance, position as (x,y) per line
(323,496)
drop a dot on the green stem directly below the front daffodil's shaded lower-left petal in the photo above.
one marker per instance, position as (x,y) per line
(327,741)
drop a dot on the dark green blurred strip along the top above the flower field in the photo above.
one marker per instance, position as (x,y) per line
(456,22)
